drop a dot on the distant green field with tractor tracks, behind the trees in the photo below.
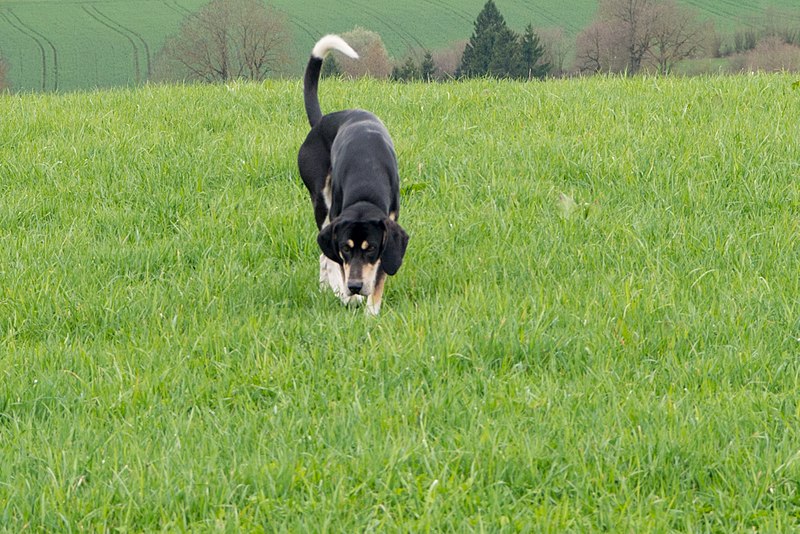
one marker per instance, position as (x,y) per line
(68,44)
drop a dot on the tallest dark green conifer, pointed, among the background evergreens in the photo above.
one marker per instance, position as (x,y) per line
(493,49)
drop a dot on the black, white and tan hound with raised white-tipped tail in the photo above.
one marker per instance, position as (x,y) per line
(348,164)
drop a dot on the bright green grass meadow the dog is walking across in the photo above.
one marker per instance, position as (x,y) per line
(597,325)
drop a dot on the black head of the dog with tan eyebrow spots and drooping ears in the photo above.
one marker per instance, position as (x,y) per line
(363,248)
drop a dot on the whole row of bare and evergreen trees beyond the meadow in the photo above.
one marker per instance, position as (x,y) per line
(247,39)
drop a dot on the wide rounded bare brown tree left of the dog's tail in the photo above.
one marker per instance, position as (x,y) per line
(225,40)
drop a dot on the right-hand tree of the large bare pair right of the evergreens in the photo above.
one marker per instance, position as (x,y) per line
(677,34)
